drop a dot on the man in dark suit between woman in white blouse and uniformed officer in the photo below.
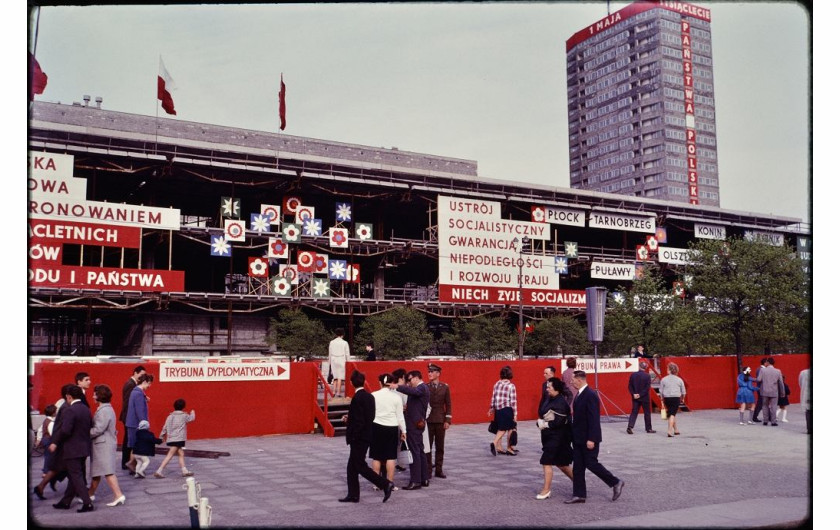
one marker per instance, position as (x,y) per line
(415,424)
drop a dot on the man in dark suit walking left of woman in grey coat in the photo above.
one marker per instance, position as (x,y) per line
(74,438)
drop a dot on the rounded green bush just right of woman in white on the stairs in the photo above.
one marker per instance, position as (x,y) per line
(399,333)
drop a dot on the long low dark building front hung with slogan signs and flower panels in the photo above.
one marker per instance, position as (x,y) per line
(173,190)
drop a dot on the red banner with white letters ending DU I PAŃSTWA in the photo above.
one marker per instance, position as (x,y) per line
(146,280)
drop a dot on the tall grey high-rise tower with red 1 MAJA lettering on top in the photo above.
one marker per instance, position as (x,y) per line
(642,104)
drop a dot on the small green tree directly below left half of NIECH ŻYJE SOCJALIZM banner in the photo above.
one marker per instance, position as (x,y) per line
(482,337)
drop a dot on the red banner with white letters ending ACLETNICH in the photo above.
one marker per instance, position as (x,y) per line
(101,235)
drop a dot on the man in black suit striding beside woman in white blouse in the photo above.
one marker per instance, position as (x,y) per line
(359,420)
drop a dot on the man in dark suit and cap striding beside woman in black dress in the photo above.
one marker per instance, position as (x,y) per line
(586,437)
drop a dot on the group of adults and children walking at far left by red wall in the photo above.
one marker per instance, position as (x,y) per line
(81,442)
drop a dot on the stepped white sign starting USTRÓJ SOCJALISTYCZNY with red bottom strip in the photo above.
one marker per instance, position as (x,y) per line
(479,261)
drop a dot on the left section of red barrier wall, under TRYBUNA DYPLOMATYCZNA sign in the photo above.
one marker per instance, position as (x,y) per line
(223,409)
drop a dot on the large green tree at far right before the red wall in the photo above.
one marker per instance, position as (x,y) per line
(758,291)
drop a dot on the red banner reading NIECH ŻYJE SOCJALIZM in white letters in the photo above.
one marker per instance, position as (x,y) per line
(486,294)
